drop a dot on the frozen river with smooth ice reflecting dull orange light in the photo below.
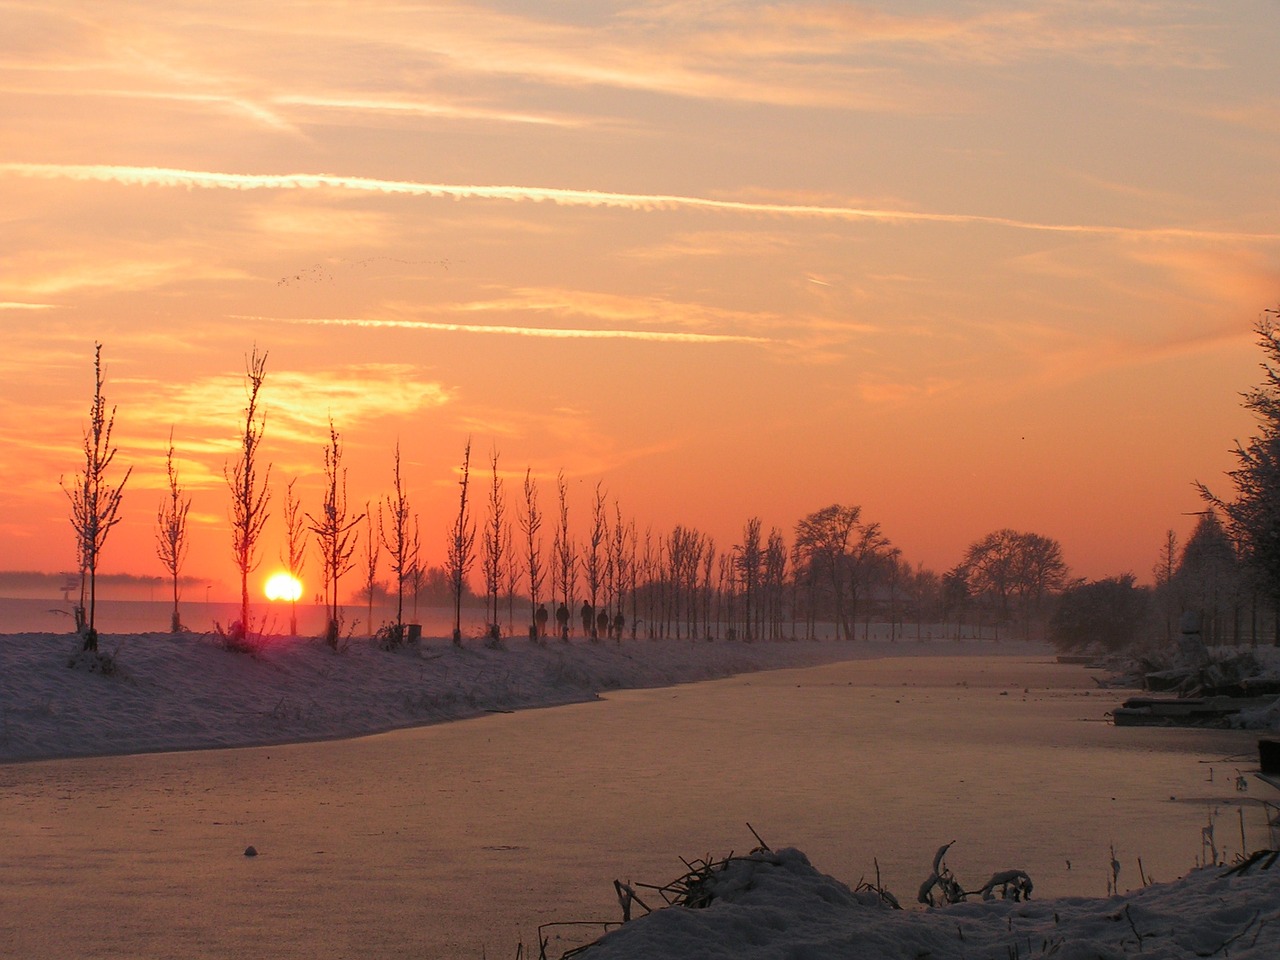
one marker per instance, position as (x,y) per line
(456,842)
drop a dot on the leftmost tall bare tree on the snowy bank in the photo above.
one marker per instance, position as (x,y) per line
(95,502)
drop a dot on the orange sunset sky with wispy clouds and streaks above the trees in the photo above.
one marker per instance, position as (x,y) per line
(970,266)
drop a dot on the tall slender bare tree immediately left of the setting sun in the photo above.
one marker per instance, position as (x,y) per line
(250,493)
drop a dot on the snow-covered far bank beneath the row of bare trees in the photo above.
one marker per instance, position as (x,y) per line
(185,692)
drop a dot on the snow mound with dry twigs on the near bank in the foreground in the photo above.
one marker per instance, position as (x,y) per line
(774,906)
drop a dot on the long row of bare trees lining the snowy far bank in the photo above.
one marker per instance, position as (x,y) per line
(838,569)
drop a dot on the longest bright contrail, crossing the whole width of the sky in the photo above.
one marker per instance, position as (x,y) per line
(171,177)
